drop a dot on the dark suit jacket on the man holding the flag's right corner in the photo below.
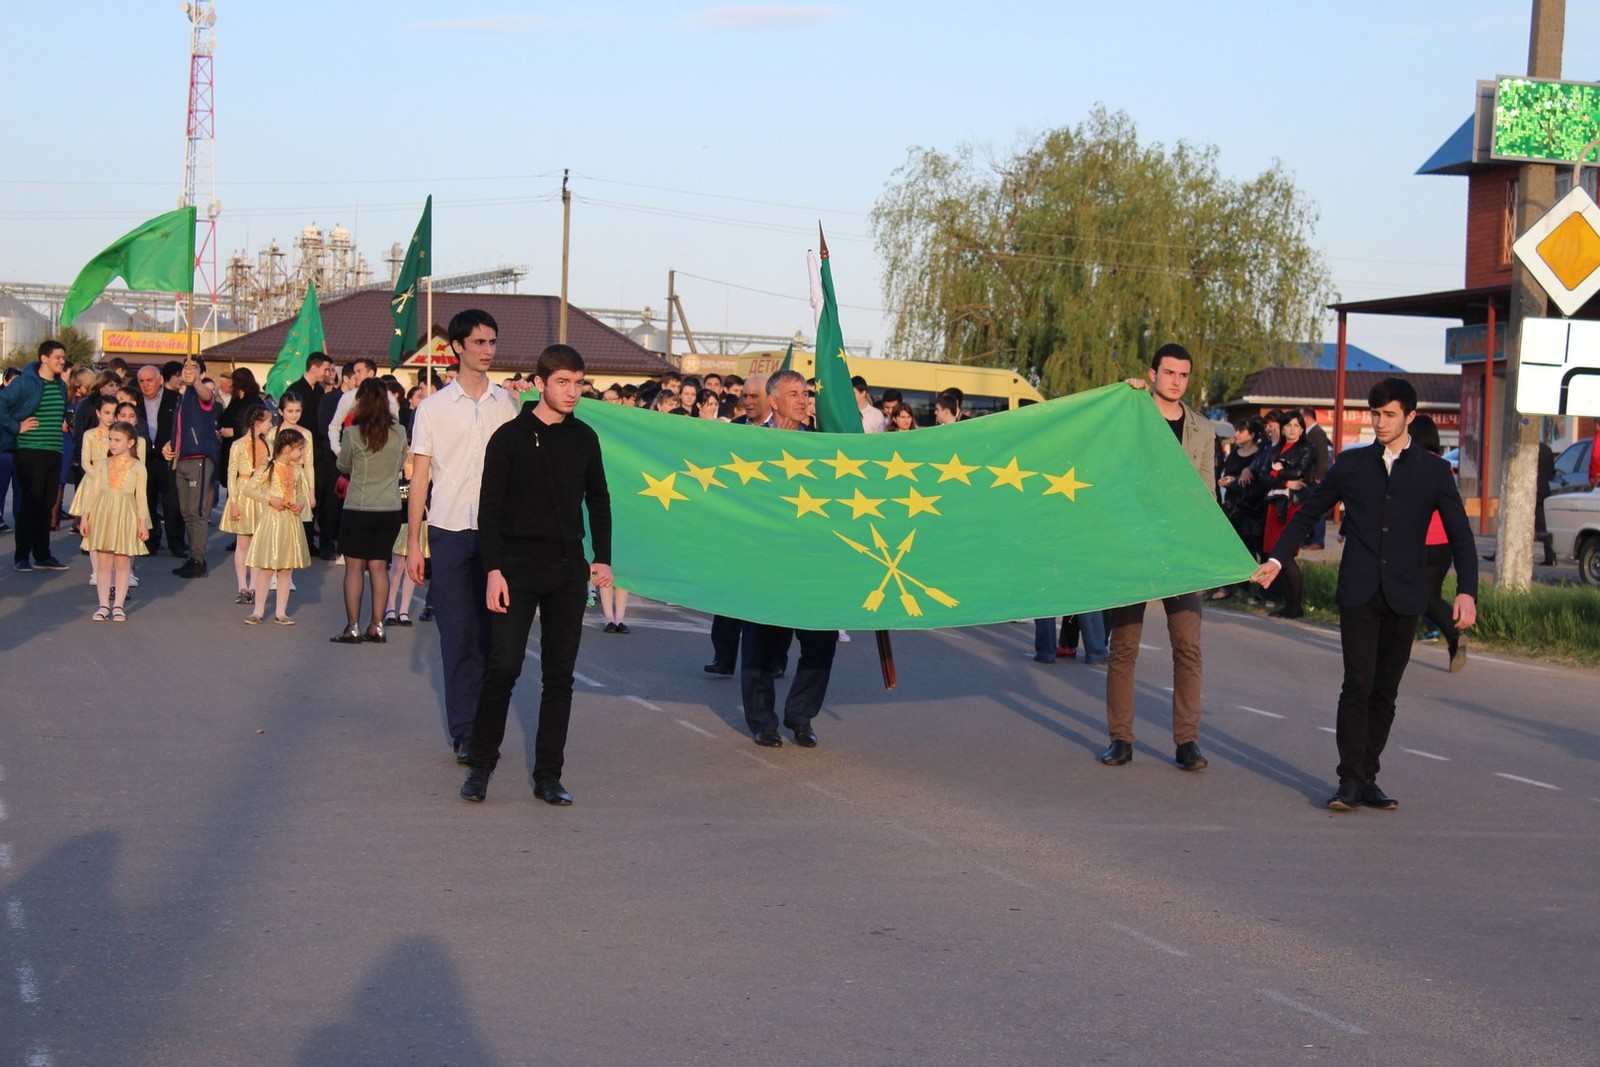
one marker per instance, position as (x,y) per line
(1386,518)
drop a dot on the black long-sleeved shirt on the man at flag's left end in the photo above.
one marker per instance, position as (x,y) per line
(537,482)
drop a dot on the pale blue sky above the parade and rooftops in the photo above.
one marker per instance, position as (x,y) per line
(714,140)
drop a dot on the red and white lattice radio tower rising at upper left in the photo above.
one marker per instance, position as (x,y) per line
(201,164)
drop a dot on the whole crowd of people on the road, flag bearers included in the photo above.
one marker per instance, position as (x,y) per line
(422,486)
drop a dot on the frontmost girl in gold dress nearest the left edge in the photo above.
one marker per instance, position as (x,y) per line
(116,521)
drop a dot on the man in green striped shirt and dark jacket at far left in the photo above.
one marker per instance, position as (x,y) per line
(33,422)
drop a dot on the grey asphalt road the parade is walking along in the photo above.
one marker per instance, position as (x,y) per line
(233,845)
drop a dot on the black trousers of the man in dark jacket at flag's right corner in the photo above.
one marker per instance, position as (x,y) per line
(1377,645)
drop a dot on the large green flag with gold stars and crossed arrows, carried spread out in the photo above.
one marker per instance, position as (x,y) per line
(1060,508)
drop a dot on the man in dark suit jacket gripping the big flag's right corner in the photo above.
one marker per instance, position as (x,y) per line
(1390,492)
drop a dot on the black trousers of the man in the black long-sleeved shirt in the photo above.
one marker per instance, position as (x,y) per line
(558,591)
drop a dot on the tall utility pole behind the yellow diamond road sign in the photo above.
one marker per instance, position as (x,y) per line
(1521,434)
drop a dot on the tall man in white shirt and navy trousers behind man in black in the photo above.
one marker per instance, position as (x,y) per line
(449,438)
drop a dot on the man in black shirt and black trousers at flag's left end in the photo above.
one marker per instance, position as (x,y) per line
(540,473)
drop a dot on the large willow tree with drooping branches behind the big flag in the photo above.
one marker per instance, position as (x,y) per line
(1078,258)
